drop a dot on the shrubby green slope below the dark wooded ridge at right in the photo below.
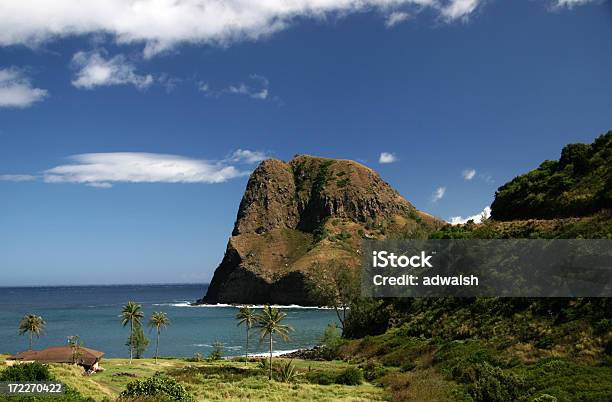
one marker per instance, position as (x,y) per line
(482,349)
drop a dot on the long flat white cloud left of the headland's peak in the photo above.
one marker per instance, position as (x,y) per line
(104,169)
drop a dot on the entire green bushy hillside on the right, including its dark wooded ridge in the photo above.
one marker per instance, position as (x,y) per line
(503,349)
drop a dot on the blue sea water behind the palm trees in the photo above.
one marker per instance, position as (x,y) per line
(91,312)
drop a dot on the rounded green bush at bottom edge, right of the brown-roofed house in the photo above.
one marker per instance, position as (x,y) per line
(158,386)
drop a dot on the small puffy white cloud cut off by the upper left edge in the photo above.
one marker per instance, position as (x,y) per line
(16,89)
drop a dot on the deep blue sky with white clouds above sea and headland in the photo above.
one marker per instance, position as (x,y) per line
(127,130)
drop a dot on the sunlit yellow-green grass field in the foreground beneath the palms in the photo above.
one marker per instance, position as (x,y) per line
(213,381)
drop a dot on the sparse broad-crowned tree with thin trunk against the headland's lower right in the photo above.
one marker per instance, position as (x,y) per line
(335,285)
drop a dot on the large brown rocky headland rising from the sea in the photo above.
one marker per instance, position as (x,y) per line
(305,212)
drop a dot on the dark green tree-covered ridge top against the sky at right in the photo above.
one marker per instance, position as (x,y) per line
(578,184)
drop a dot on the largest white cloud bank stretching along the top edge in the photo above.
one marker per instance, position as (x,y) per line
(163,24)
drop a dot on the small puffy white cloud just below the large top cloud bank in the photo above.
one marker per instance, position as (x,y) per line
(95,70)
